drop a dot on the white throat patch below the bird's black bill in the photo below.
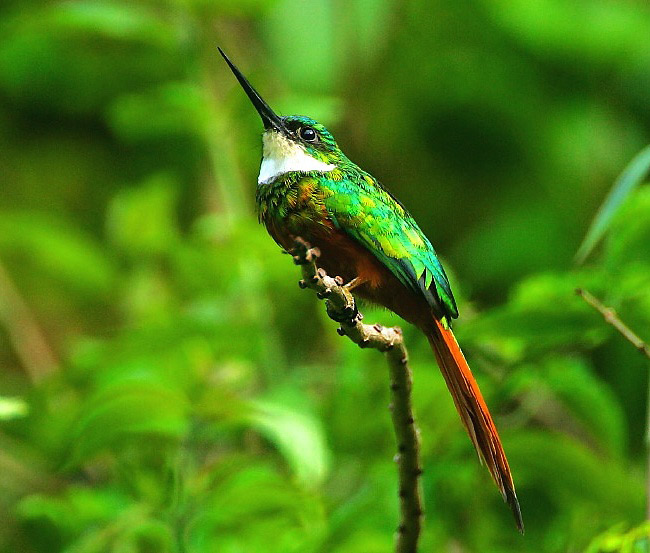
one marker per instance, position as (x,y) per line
(281,155)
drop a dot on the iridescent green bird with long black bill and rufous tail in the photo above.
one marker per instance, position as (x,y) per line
(308,187)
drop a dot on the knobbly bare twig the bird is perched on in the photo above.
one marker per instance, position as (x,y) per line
(341,307)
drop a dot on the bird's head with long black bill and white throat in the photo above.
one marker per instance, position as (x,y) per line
(290,143)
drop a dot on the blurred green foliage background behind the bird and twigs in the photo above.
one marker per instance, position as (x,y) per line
(166,387)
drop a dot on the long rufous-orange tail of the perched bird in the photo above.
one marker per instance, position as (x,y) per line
(474,412)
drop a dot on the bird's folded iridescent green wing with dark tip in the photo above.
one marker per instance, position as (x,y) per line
(369,214)
